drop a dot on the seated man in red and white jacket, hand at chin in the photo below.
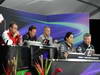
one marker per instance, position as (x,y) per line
(12,36)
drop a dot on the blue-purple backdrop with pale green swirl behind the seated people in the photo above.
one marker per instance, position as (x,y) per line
(78,23)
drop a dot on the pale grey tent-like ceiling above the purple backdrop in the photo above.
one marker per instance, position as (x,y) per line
(46,7)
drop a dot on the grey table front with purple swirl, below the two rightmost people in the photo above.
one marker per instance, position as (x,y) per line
(76,66)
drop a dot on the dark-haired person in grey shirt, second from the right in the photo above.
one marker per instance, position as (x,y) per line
(67,45)
